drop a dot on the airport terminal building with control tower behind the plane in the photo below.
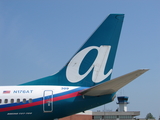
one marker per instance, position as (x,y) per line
(120,114)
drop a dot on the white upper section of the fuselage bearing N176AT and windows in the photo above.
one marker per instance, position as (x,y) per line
(15,94)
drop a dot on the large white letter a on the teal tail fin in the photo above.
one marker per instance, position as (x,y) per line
(98,66)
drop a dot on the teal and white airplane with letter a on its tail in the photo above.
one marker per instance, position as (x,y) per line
(83,83)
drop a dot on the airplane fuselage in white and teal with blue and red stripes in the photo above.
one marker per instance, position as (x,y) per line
(45,102)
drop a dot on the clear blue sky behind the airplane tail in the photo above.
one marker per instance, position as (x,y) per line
(37,38)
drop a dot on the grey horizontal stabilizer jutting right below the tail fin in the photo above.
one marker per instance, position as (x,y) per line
(113,85)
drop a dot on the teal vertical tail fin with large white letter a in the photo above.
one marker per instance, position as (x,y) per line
(93,63)
